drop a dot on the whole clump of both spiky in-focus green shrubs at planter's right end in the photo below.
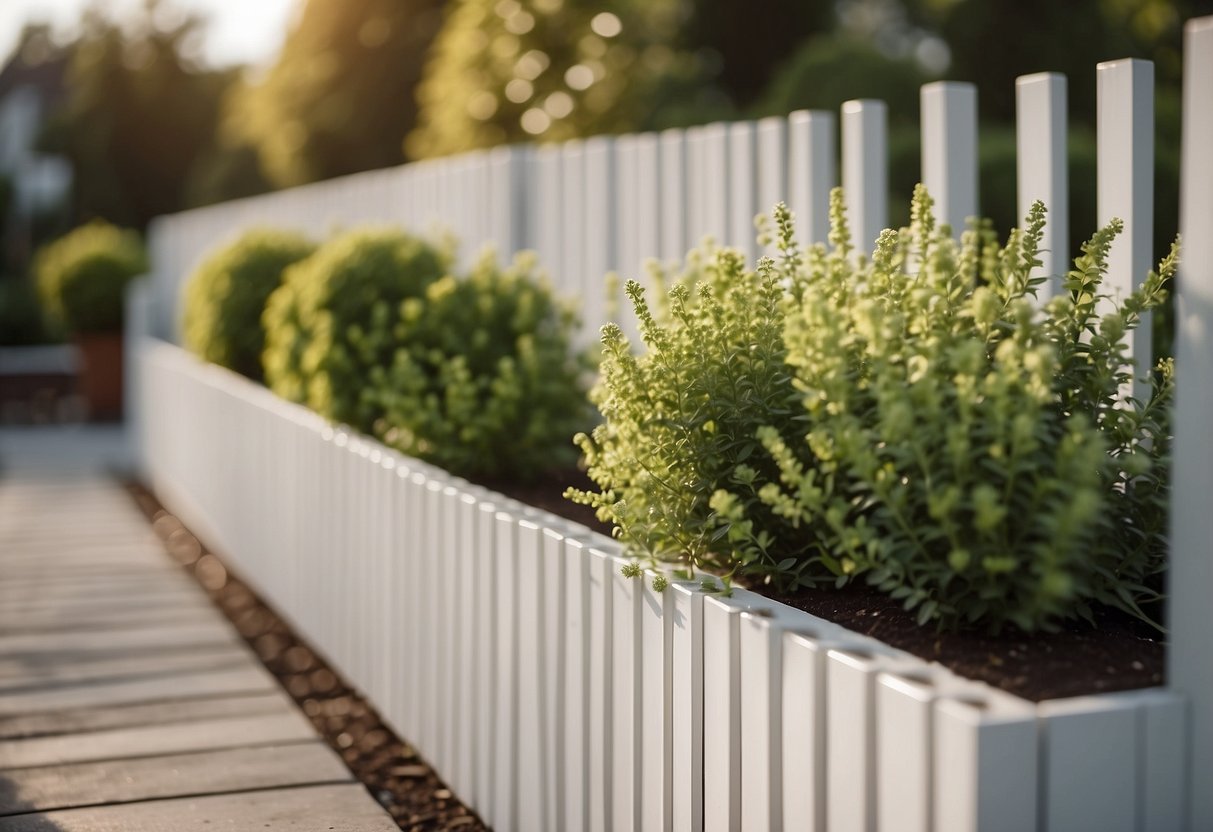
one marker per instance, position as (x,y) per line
(914,419)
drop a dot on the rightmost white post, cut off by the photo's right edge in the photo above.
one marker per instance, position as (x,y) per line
(1191,656)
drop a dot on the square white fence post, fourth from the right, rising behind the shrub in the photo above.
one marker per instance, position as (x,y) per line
(950,151)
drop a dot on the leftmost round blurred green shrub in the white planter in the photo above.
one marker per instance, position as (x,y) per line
(226,298)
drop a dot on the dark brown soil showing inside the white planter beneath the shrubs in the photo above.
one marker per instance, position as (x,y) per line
(1120,654)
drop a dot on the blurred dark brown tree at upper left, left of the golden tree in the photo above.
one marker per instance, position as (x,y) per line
(138,118)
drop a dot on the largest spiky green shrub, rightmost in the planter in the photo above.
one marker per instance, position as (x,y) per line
(979,461)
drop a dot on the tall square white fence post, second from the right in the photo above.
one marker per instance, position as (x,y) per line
(1125,149)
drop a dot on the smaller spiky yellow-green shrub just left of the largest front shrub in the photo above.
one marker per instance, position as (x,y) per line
(677,457)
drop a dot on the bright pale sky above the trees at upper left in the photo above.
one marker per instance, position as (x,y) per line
(240,32)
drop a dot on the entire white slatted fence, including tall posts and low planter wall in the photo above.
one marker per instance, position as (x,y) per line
(630,713)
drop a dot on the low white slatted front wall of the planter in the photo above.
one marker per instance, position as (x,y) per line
(553,693)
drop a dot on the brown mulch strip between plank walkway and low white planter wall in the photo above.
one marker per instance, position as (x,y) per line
(392,771)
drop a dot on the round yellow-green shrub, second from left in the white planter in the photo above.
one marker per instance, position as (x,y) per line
(327,327)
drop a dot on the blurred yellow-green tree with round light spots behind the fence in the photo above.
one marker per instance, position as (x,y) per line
(506,71)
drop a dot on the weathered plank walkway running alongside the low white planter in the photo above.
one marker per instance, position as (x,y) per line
(127,700)
